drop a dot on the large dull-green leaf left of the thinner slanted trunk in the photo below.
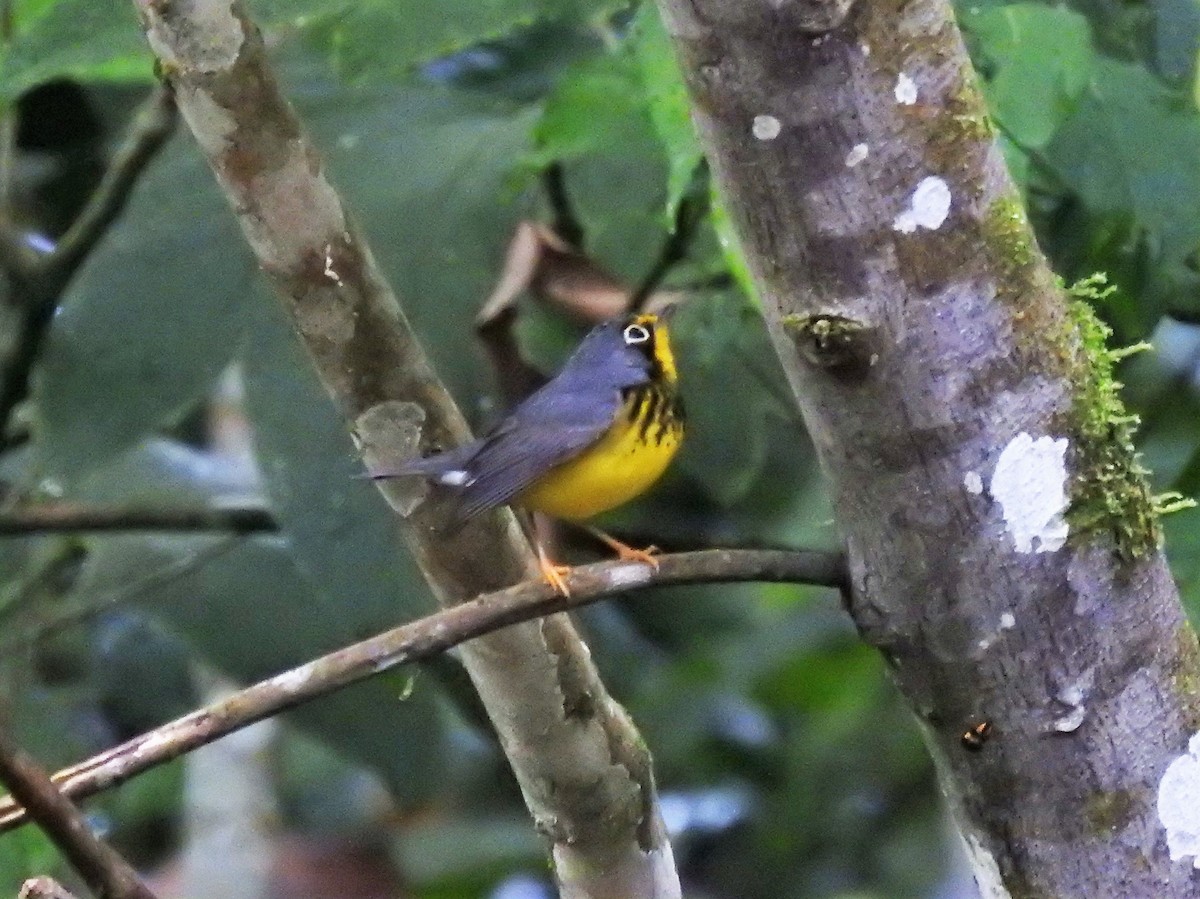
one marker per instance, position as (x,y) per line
(149,323)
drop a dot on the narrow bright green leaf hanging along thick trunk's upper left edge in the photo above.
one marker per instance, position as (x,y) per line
(668,99)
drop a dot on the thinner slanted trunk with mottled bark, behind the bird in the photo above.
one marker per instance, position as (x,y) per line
(583,768)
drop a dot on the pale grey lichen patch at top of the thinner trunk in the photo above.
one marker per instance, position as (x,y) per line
(201,35)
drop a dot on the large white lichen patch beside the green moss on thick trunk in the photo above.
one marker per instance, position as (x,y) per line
(1030,484)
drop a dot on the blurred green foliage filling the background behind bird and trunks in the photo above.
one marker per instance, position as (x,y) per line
(788,765)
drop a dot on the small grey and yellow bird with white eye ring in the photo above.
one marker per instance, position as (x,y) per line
(592,439)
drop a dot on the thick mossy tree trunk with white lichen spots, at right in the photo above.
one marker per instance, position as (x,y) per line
(1047,657)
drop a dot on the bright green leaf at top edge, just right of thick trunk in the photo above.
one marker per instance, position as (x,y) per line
(1039,59)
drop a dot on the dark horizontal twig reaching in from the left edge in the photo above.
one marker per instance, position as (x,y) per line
(71,518)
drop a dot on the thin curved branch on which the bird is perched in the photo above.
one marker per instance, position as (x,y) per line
(424,639)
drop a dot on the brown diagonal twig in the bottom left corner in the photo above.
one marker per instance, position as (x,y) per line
(103,868)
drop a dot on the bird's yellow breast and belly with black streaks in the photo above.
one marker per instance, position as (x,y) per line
(625,463)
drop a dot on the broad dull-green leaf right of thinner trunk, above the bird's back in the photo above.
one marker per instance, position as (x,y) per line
(428,173)
